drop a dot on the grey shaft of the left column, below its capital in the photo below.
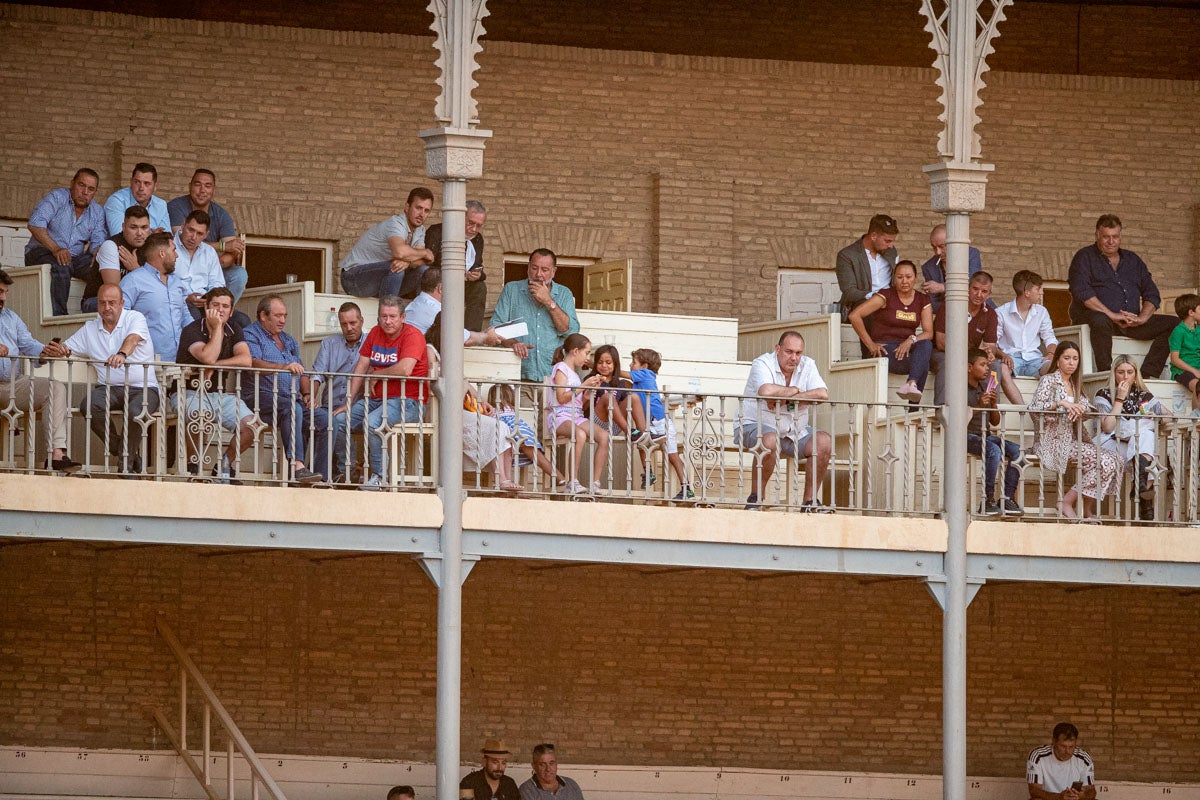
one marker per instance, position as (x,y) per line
(454,199)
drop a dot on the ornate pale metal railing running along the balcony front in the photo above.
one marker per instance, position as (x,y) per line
(884,459)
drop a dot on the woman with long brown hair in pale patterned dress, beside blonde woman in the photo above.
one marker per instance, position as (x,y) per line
(1059,444)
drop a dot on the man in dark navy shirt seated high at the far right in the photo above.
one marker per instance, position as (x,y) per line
(1112,293)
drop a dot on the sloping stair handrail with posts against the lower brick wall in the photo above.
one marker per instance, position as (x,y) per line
(236,743)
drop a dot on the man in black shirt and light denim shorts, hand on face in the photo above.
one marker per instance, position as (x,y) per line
(217,341)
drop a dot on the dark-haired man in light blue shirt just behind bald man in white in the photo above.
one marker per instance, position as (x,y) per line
(159,294)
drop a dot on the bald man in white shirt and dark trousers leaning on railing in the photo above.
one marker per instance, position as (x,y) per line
(125,381)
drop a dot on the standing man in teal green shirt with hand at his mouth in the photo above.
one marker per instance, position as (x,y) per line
(547,308)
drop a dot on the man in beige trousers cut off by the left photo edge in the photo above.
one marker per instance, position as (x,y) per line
(27,393)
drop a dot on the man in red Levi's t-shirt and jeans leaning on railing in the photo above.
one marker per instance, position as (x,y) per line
(392,357)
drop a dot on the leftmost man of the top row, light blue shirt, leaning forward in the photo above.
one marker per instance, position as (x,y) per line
(67,227)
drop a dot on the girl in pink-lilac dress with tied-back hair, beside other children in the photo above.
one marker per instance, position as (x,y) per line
(566,418)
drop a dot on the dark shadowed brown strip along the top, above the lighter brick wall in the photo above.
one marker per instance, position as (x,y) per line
(1095,38)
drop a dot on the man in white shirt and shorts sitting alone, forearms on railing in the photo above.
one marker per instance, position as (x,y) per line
(775,410)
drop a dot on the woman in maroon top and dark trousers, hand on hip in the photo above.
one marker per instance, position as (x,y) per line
(896,316)
